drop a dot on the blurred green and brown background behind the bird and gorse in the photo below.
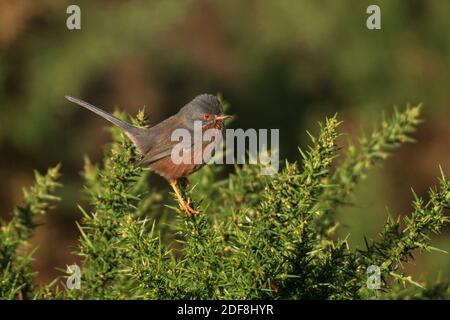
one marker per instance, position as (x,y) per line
(280,64)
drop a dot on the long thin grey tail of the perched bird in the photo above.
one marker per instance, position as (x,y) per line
(134,133)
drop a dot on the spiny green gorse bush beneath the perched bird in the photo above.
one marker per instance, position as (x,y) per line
(269,237)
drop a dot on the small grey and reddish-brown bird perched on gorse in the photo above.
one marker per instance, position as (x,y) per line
(154,145)
